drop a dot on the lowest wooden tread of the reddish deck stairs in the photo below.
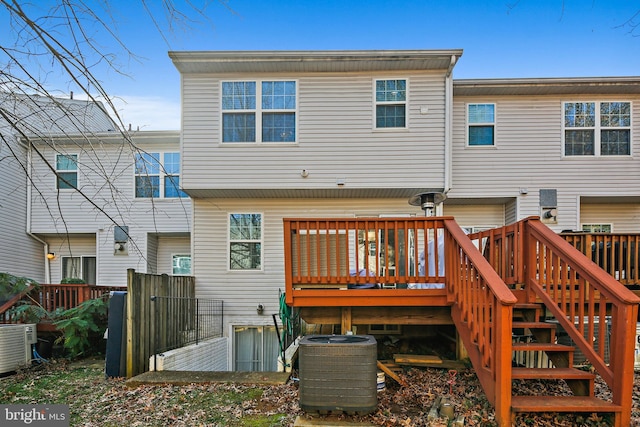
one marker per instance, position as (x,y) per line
(562,404)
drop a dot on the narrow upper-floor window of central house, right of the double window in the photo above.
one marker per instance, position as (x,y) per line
(391,103)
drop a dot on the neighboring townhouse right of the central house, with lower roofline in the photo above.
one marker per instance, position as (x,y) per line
(523,147)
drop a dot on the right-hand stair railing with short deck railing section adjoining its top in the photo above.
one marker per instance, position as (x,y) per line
(585,300)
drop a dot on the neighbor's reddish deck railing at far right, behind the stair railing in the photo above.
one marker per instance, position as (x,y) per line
(616,253)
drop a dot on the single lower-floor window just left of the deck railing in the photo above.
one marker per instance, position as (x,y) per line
(245,241)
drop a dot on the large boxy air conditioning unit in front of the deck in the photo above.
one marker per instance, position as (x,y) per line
(338,373)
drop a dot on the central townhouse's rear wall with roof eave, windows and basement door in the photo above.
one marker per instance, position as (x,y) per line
(269,135)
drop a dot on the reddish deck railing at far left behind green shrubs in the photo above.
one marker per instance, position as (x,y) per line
(52,297)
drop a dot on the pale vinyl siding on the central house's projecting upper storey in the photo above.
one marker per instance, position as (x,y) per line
(335,134)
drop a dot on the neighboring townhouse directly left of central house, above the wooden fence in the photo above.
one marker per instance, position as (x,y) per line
(114,204)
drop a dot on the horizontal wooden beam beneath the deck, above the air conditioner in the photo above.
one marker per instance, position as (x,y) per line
(378,315)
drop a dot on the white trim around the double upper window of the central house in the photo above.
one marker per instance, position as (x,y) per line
(258,113)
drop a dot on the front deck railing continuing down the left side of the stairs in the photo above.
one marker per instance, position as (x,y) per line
(400,262)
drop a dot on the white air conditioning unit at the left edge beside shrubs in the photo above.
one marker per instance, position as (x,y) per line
(15,345)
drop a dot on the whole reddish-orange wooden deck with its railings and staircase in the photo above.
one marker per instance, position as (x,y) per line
(360,269)
